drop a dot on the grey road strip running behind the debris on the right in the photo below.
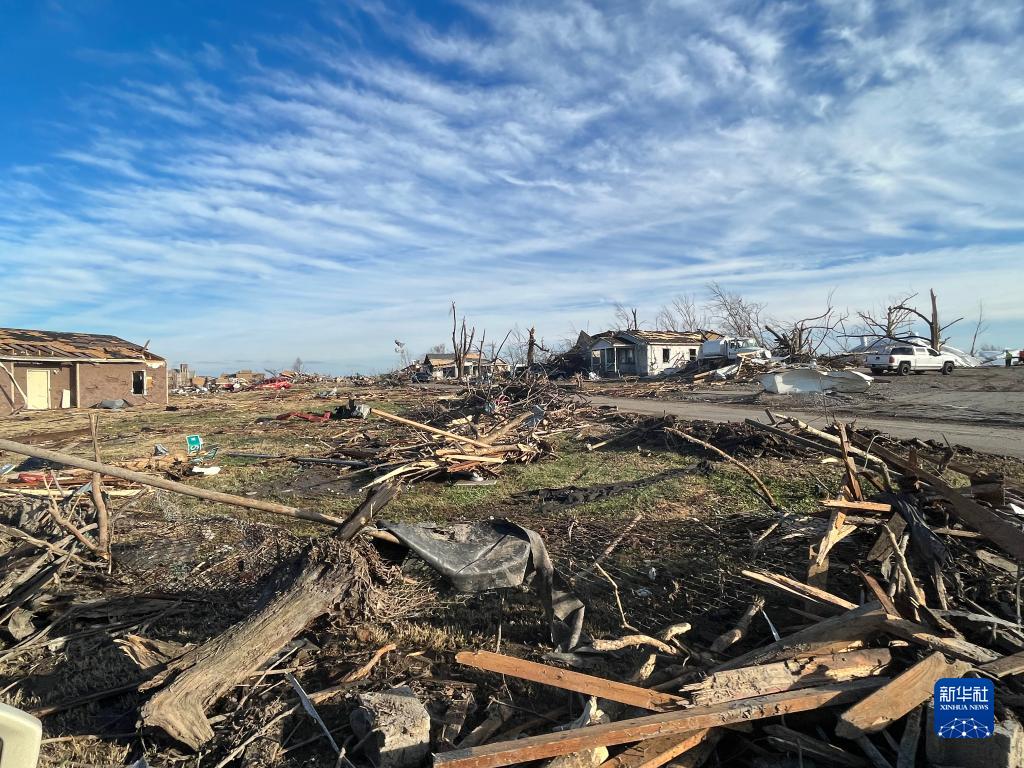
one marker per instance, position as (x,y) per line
(989,439)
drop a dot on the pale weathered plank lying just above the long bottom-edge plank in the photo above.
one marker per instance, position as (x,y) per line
(748,682)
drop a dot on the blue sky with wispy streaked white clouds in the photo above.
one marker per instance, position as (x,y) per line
(244,183)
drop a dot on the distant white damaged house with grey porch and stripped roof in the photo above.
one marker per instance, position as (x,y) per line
(646,353)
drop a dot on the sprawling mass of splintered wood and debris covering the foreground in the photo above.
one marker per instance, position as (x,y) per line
(863,630)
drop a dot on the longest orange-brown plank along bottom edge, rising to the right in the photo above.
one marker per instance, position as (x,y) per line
(679,721)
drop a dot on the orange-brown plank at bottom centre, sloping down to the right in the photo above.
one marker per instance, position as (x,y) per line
(568,680)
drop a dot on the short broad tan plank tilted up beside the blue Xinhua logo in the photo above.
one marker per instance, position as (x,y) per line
(897,700)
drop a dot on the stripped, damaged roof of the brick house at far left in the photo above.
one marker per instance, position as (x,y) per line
(17,344)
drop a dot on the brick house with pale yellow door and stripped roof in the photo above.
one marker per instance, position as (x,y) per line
(42,370)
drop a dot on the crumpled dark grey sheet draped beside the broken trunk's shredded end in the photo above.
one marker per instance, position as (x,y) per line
(497,554)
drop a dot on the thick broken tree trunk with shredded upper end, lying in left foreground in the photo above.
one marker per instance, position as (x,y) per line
(330,573)
